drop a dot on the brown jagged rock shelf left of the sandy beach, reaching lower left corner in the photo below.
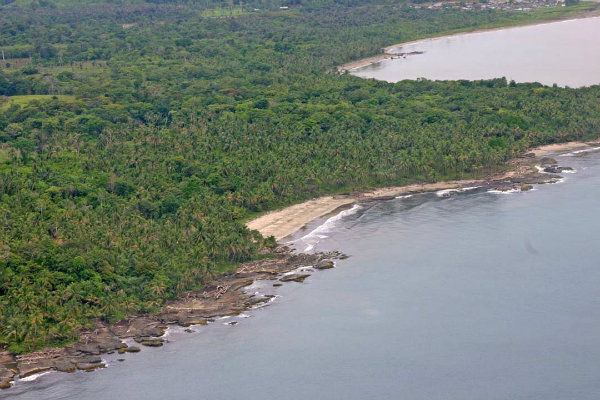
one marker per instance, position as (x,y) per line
(222,297)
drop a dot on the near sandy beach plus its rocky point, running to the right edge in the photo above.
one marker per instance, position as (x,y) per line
(283,223)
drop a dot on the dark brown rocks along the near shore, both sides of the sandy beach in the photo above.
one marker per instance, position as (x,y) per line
(225,295)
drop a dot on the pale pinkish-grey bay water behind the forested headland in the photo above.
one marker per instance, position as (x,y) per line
(566,53)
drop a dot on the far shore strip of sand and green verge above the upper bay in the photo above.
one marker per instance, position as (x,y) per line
(585,10)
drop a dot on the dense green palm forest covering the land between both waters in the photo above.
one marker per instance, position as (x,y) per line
(137,137)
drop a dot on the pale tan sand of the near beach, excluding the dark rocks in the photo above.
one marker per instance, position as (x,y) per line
(284,222)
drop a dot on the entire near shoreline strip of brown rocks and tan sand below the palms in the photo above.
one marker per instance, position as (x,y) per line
(225,296)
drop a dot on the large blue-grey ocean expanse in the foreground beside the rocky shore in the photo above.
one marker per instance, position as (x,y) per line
(454,295)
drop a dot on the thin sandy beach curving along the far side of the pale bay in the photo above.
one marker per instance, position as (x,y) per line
(389,52)
